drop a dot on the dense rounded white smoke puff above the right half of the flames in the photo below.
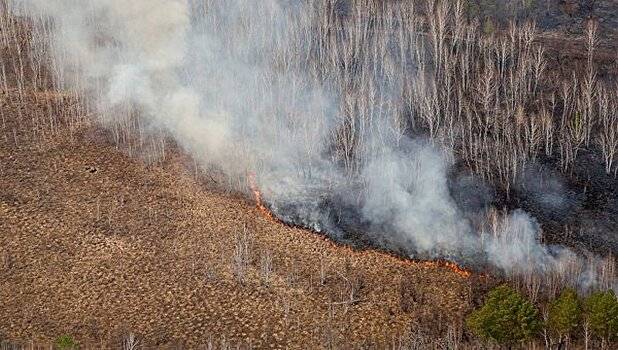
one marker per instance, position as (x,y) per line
(408,192)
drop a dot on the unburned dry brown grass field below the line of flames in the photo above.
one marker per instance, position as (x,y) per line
(96,244)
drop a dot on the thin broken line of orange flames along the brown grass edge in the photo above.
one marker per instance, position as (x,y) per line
(259,203)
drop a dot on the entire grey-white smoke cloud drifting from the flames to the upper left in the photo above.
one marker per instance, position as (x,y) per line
(241,85)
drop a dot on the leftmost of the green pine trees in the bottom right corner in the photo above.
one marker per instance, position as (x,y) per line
(506,317)
